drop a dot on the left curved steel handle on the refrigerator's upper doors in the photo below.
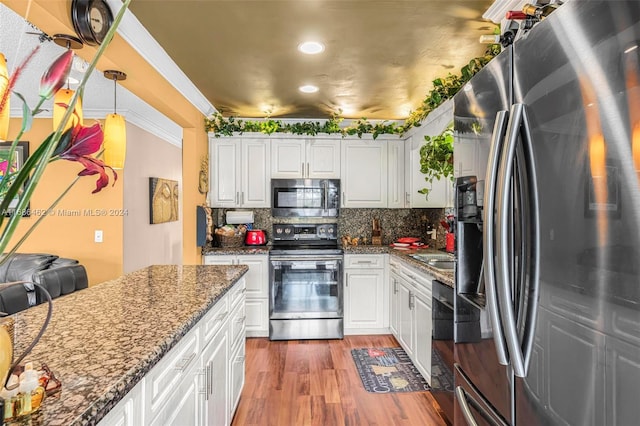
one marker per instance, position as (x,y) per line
(497,140)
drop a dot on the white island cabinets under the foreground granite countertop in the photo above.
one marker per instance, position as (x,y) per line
(196,382)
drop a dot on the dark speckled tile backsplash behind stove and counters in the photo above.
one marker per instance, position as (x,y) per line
(395,223)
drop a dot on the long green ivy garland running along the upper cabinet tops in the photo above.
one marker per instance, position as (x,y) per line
(443,89)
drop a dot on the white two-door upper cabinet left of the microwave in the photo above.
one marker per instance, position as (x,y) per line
(239,172)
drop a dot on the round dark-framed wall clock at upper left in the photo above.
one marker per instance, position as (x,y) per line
(91,20)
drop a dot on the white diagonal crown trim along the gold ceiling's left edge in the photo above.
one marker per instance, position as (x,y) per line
(134,33)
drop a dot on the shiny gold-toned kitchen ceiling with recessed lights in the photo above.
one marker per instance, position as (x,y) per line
(379,61)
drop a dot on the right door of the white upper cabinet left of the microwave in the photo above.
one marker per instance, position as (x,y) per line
(255,188)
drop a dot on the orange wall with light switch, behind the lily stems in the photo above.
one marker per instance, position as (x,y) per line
(72,236)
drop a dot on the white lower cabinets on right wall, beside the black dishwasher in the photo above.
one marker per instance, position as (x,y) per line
(411,312)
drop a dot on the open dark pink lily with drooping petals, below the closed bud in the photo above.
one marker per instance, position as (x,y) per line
(77,144)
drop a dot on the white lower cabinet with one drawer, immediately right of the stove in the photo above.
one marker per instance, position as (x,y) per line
(366,304)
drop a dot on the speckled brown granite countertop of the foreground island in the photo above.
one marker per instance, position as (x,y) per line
(102,340)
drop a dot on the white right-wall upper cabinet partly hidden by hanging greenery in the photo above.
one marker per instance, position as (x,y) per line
(440,191)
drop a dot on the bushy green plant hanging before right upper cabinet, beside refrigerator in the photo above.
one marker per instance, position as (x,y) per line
(436,157)
